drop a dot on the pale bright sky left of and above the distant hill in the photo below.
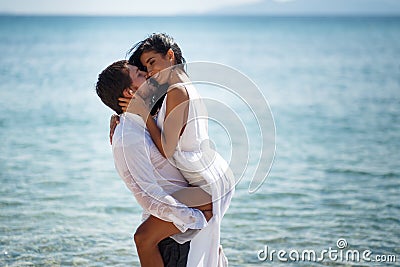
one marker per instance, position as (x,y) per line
(117,7)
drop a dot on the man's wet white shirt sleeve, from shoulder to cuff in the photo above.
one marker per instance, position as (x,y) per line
(132,161)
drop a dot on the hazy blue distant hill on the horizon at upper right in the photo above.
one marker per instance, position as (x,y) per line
(315,7)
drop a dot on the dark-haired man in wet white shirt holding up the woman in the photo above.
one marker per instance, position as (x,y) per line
(146,173)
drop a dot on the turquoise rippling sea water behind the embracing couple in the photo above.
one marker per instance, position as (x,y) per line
(333,85)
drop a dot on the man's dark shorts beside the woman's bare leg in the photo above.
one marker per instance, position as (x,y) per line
(173,253)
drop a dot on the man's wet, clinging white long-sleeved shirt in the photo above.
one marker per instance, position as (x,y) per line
(151,178)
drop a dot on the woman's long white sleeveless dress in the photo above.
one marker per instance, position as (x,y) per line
(202,166)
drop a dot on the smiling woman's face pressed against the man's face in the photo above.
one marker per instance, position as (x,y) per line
(155,62)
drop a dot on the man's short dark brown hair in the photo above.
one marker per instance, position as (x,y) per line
(112,82)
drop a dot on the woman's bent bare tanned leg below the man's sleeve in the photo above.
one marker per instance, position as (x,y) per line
(147,237)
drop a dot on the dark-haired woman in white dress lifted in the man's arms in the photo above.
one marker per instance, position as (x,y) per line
(180,133)
